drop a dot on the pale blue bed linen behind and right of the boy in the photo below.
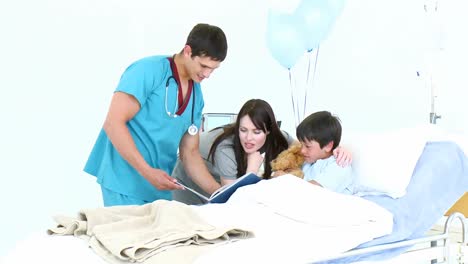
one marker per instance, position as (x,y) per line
(439,179)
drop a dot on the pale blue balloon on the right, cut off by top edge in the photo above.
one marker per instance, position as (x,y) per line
(315,18)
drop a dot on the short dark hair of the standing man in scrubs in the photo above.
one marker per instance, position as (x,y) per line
(208,40)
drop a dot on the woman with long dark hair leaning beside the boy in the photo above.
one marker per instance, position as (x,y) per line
(246,146)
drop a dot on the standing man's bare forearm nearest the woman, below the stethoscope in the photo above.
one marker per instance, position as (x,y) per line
(194,164)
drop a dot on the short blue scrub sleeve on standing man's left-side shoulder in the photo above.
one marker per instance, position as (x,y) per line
(140,78)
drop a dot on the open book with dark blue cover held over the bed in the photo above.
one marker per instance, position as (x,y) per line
(222,194)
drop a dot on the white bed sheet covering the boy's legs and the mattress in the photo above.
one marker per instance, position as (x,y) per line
(293,221)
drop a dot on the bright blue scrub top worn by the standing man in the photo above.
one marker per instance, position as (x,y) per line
(156,134)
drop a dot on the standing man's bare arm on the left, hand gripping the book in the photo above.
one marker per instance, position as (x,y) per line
(123,108)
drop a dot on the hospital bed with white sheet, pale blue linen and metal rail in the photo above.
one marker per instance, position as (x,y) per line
(308,224)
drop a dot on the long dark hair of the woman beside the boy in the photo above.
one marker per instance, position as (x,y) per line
(262,116)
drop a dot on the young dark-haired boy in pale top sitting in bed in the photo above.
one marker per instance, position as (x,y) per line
(320,134)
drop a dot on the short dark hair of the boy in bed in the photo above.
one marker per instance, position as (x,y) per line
(321,127)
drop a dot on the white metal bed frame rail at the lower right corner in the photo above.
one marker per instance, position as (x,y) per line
(431,244)
